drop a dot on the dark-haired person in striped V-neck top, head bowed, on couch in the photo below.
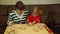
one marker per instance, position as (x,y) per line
(19,15)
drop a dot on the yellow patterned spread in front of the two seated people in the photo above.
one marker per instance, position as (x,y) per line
(26,29)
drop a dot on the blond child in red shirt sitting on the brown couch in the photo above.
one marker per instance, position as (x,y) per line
(34,17)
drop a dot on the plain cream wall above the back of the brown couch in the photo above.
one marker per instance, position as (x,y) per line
(29,2)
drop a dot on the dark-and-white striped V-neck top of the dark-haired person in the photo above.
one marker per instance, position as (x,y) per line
(15,18)
